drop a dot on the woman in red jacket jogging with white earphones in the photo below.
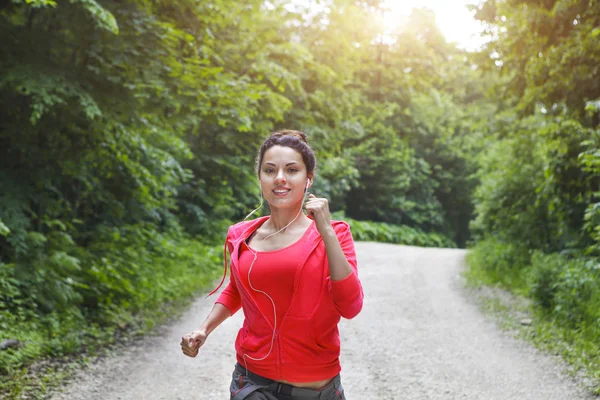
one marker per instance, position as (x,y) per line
(295,275)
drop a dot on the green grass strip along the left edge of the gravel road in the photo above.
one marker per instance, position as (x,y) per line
(54,346)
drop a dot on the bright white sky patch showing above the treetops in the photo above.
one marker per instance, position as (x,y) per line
(452,17)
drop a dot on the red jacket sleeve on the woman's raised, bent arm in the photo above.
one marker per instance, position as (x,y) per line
(347,293)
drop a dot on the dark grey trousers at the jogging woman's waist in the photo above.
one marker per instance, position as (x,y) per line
(249,386)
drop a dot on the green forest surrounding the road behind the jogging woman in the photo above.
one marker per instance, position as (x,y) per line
(129,132)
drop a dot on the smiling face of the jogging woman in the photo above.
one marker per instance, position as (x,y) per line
(283,176)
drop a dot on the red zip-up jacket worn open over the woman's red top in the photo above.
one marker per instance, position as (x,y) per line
(306,344)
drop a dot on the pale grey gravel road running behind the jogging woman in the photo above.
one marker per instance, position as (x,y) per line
(419,336)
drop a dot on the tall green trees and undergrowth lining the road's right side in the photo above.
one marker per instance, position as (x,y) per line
(538,197)
